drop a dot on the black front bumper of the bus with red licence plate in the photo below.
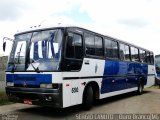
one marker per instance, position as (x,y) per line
(36,96)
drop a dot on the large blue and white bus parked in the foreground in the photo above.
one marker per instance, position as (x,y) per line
(63,66)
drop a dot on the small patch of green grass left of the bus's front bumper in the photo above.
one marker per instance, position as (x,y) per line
(3,98)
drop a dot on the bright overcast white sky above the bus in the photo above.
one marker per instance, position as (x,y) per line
(134,21)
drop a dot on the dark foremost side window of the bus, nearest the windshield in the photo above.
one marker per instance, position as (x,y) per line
(74,52)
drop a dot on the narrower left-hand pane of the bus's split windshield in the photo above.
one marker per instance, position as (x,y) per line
(18,53)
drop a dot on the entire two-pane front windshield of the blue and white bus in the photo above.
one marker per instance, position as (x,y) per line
(40,50)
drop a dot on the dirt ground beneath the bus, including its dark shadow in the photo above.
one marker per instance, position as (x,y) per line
(127,104)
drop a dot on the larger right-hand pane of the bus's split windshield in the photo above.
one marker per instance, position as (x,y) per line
(45,50)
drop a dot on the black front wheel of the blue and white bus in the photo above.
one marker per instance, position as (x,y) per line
(88,98)
